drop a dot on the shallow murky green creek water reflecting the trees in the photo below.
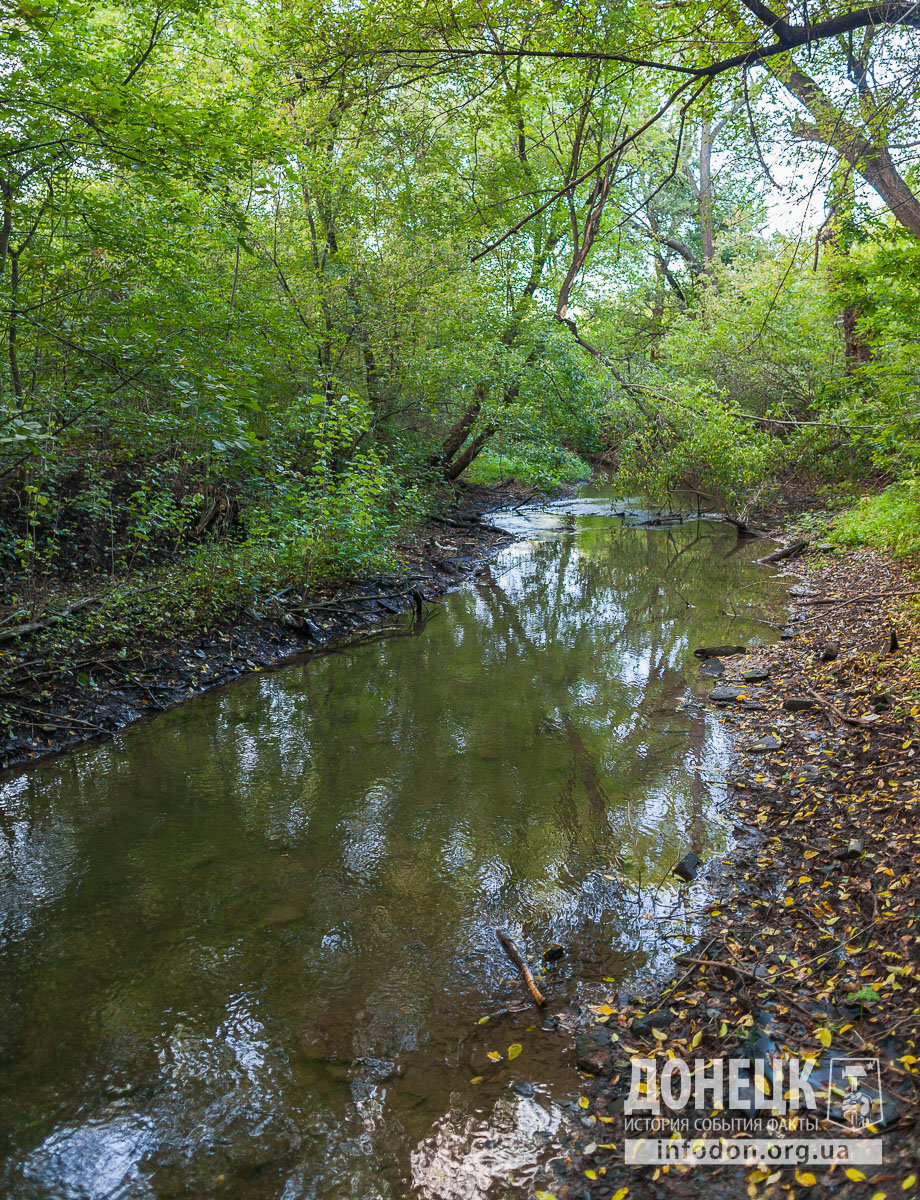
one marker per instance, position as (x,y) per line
(248,949)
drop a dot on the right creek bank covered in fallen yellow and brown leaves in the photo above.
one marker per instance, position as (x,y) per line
(813,946)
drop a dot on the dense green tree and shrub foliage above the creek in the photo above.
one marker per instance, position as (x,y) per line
(267,297)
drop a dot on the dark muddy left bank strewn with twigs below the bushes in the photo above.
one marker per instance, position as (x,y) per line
(70,681)
